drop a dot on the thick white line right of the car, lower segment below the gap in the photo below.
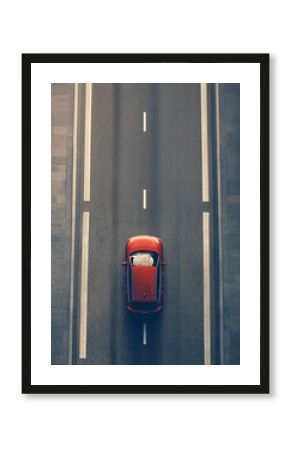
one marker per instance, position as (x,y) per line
(206,286)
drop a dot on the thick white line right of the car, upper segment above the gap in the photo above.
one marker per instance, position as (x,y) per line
(204,143)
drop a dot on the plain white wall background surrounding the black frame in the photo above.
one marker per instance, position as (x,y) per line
(139,421)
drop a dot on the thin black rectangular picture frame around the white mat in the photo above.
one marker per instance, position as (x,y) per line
(263,61)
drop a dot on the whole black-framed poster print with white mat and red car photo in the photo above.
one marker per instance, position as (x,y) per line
(145,223)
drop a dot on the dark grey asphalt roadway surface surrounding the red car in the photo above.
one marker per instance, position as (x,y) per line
(166,161)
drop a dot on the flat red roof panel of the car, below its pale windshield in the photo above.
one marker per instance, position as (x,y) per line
(144,283)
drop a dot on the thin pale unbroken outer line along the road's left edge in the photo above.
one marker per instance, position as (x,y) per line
(73,219)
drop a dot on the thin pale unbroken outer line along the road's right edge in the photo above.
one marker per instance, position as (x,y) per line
(220,235)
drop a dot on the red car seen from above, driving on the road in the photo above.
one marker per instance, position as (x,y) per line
(144,274)
